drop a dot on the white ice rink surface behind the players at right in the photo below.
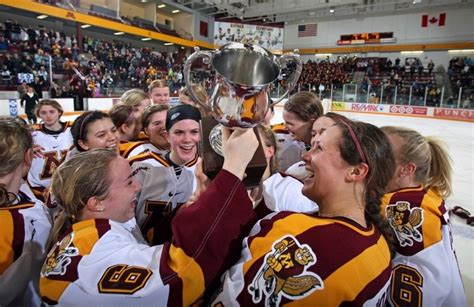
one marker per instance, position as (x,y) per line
(459,139)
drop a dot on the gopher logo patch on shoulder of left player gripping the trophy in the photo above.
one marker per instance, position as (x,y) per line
(60,257)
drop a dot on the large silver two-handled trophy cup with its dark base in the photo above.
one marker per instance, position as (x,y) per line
(240,98)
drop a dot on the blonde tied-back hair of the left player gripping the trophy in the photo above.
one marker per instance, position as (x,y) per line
(76,181)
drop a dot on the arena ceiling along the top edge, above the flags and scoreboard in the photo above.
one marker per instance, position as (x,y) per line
(297,11)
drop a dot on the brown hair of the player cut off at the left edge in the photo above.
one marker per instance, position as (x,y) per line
(15,140)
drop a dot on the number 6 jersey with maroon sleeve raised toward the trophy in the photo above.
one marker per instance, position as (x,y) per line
(100,263)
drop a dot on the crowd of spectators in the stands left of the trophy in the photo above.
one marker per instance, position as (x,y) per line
(100,66)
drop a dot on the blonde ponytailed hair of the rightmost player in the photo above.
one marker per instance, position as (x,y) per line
(433,163)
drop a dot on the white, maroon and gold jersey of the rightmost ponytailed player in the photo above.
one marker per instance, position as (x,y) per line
(425,268)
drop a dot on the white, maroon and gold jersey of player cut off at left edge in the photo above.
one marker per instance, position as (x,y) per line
(24,233)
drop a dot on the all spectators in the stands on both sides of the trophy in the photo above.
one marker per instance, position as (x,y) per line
(93,67)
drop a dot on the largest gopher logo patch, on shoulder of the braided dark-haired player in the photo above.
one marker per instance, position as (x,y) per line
(284,273)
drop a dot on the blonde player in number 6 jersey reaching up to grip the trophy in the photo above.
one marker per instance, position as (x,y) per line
(98,261)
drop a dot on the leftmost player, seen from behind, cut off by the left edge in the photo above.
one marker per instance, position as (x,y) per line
(24,223)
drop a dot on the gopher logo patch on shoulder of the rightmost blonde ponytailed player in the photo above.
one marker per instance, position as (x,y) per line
(405,221)
